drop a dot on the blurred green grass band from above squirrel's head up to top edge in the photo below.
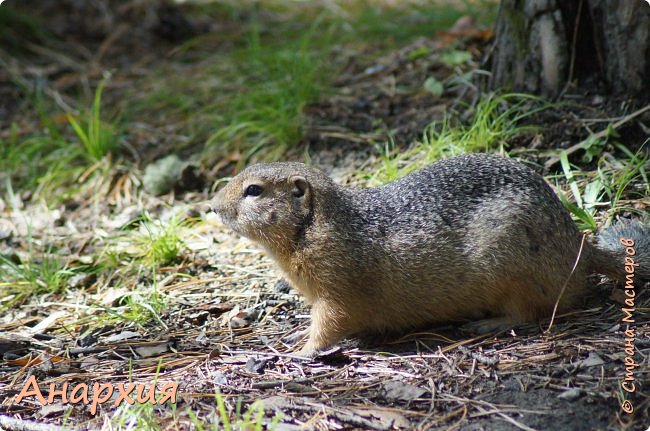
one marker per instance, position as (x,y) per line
(248,100)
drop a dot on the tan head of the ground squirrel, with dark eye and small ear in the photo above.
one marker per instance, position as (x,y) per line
(271,203)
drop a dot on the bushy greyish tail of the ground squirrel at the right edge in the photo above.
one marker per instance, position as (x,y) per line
(623,249)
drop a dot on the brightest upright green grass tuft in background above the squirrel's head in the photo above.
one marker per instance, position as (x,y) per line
(278,81)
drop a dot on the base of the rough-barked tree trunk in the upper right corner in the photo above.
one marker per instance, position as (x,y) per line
(543,45)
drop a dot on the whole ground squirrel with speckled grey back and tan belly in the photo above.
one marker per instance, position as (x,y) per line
(469,237)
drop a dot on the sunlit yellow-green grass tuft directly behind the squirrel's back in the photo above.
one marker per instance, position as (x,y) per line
(496,119)
